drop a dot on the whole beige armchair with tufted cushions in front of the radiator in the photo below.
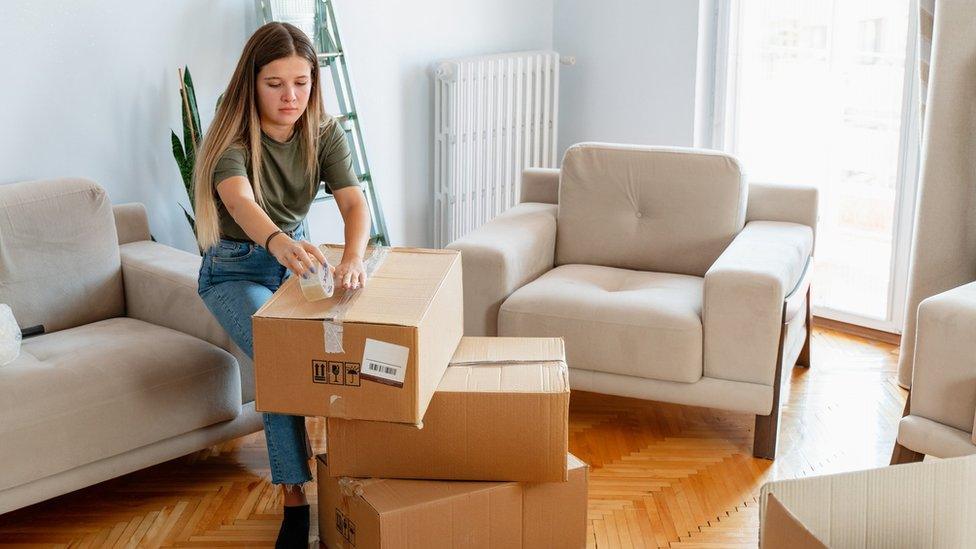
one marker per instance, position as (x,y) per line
(670,278)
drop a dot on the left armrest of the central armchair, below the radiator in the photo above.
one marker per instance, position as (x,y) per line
(500,257)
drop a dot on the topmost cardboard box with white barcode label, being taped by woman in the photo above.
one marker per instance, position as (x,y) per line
(384,355)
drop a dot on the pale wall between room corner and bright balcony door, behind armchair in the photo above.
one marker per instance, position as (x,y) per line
(635,75)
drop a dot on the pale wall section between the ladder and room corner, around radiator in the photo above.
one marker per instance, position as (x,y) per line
(391,47)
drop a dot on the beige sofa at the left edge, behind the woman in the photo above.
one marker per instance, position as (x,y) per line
(131,370)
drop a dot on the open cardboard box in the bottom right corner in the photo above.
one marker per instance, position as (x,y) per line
(921,505)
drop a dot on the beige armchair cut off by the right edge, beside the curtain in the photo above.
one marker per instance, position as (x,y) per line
(941,409)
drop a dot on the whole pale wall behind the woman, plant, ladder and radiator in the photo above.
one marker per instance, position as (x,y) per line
(90,89)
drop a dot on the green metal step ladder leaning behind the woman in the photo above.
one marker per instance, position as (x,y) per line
(317,19)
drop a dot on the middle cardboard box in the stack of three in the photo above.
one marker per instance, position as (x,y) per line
(501,412)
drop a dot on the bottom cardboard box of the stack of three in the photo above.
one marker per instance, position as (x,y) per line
(384,513)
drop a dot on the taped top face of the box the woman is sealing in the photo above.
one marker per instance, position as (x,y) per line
(399,292)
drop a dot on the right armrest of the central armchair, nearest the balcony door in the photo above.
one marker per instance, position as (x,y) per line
(743,300)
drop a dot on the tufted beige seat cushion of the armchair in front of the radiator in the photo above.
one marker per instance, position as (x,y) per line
(614,320)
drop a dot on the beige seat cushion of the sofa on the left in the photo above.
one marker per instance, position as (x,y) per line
(86,393)
